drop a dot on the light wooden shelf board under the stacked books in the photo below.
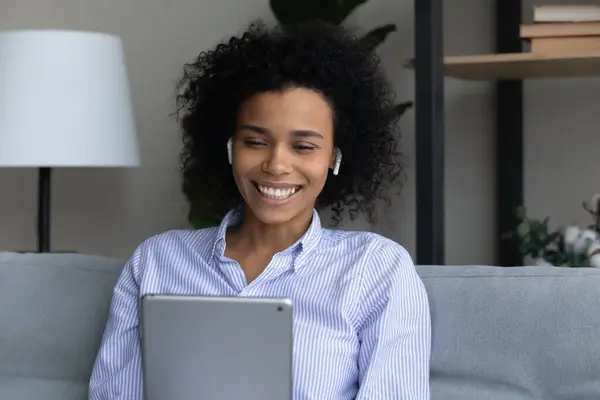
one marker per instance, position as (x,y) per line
(520,66)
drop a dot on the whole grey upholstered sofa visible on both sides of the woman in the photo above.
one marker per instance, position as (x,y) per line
(498,333)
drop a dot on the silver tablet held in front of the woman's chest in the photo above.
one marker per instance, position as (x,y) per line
(216,348)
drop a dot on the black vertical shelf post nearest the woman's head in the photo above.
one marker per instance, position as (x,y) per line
(429,125)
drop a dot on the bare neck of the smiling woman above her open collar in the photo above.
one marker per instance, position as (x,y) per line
(256,236)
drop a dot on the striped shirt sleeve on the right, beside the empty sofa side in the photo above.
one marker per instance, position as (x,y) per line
(395,335)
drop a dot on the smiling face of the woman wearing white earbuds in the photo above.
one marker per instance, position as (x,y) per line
(282,150)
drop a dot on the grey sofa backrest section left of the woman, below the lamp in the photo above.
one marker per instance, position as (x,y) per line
(53,310)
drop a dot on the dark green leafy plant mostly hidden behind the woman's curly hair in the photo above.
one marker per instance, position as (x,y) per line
(202,215)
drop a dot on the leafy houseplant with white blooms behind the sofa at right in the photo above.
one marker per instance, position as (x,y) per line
(569,246)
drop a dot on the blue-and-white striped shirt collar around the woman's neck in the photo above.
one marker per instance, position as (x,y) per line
(304,245)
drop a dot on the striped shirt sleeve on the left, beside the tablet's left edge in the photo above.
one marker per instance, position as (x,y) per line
(117,372)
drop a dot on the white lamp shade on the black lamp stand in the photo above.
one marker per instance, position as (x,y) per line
(65,101)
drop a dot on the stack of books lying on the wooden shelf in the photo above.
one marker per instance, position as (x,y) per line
(560,29)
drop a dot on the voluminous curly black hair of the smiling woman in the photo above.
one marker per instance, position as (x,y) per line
(326,58)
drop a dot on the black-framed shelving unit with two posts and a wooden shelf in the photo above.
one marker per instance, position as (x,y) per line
(508,69)
